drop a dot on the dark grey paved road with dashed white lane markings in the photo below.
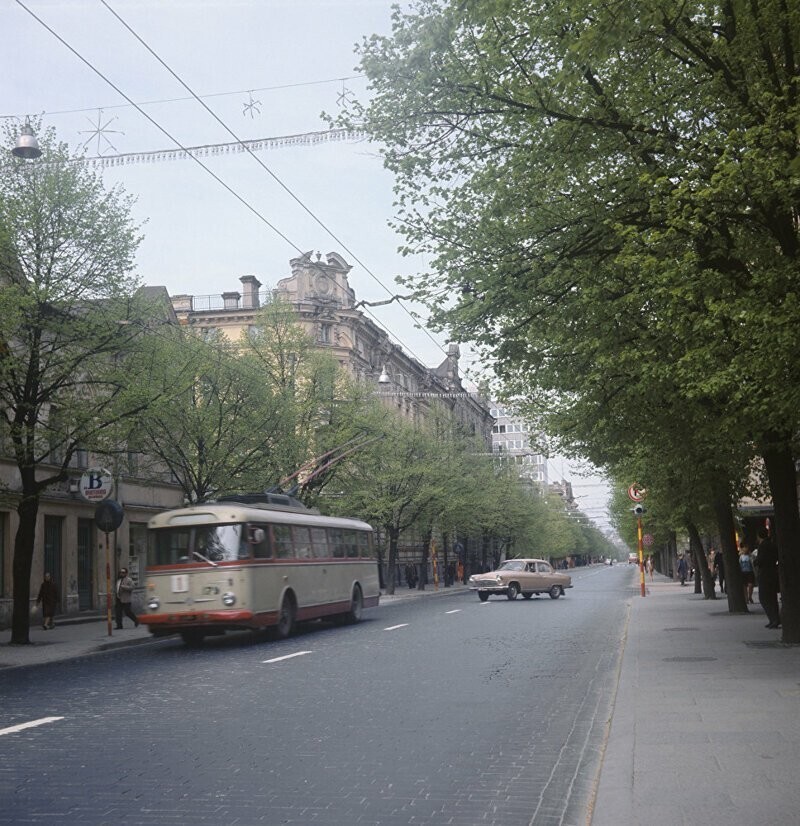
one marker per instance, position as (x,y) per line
(440,710)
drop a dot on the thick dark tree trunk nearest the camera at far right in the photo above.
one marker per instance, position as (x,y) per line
(779,465)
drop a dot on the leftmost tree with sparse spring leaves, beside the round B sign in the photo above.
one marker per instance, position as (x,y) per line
(66,285)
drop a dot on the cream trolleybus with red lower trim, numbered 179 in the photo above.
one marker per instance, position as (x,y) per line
(255,561)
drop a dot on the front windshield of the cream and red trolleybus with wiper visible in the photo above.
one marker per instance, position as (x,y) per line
(200,543)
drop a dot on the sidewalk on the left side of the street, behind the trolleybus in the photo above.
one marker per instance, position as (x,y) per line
(79,637)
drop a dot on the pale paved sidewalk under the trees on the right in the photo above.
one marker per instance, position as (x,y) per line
(706,724)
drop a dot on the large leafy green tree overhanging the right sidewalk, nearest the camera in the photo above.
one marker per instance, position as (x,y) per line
(587,175)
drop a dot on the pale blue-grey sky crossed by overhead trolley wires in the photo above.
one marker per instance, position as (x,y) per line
(267,69)
